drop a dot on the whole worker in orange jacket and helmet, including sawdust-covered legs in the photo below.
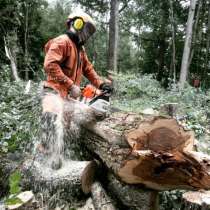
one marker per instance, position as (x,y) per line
(65,63)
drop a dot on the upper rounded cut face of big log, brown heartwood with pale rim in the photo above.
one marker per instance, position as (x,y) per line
(160,134)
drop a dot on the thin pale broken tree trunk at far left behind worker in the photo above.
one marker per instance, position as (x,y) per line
(11,54)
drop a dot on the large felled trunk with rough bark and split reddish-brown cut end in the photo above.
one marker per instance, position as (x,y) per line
(153,151)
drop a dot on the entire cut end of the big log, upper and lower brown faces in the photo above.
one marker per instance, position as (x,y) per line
(158,156)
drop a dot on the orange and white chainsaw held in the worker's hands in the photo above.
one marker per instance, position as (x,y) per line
(96,99)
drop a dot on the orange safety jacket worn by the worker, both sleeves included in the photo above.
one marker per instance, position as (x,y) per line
(64,67)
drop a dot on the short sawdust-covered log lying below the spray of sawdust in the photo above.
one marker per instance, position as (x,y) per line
(73,177)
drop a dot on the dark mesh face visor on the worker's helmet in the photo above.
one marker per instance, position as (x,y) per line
(88,30)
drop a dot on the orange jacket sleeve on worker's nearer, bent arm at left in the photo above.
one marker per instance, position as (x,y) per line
(53,59)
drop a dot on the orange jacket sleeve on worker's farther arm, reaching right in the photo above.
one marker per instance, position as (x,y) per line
(90,73)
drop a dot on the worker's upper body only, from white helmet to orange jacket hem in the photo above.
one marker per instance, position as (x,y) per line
(66,60)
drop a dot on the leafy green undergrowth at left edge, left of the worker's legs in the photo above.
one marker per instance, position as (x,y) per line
(18,119)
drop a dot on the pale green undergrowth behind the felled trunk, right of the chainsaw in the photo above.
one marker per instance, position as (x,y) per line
(139,92)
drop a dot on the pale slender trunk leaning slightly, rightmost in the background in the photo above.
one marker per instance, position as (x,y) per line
(187,46)
